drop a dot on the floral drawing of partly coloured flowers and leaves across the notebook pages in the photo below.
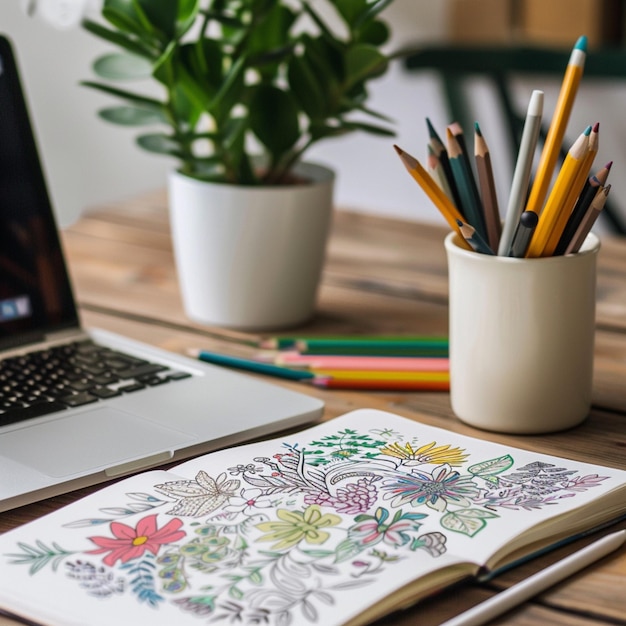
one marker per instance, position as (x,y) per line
(275,539)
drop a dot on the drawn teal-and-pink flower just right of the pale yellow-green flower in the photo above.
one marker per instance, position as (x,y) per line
(372,529)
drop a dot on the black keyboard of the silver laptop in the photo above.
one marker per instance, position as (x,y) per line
(71,375)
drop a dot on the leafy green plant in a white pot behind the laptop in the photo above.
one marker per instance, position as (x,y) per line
(247,86)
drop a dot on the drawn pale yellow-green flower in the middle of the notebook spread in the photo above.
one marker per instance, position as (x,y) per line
(296,526)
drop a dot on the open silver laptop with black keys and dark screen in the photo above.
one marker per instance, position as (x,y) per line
(80,406)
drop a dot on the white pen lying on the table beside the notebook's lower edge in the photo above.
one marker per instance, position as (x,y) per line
(541,581)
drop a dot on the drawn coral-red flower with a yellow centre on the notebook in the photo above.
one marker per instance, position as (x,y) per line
(130,543)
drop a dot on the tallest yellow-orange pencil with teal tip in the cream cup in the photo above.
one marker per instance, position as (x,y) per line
(556,131)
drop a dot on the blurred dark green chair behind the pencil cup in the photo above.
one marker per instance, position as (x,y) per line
(499,64)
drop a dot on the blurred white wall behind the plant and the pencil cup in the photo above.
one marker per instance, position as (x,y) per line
(89,162)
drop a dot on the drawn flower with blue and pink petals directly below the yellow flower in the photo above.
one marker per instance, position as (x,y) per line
(436,490)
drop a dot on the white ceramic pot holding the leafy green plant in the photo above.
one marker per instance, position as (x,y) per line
(250,257)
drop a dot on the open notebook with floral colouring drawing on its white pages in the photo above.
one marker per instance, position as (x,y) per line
(338,524)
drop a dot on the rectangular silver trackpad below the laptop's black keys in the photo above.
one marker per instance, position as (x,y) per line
(109,437)
